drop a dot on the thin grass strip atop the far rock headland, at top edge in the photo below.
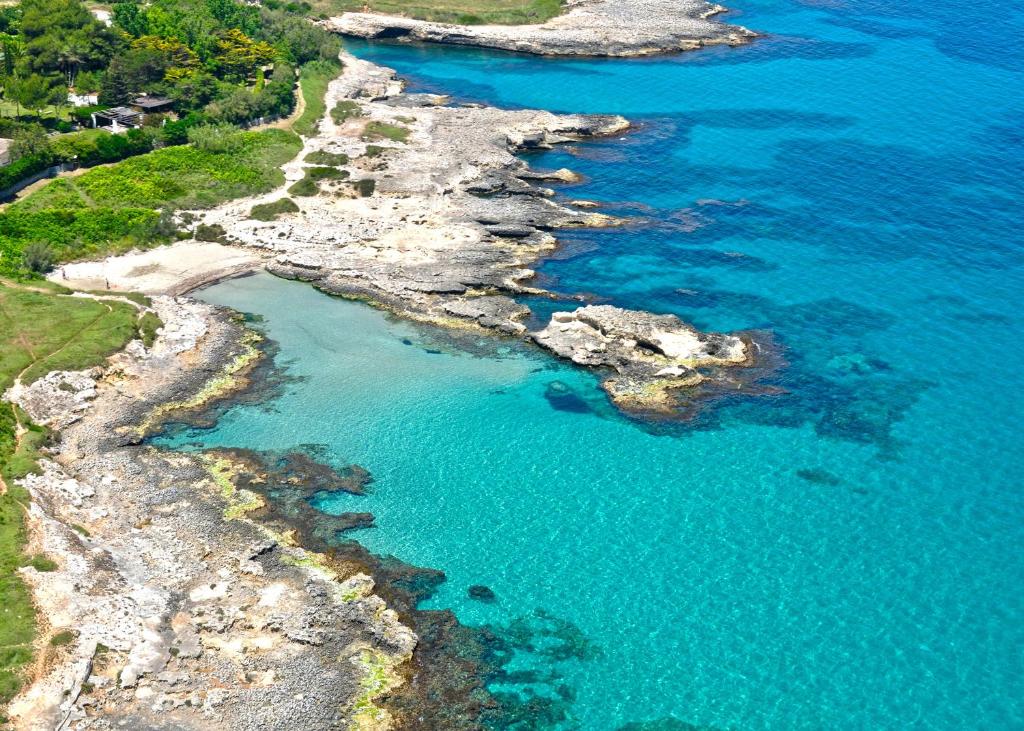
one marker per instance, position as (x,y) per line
(466,13)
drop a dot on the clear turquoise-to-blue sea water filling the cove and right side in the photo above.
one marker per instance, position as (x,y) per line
(847,555)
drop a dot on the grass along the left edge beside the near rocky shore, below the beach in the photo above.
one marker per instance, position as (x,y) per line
(39,332)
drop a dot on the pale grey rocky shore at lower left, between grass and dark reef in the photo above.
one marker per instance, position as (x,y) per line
(183,612)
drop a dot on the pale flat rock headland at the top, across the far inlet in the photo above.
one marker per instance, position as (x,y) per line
(590,28)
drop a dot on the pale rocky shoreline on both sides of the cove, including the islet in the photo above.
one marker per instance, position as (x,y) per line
(196,596)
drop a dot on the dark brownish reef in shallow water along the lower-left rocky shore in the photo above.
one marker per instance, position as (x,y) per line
(454,667)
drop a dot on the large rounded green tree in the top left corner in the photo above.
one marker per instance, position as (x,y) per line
(62,36)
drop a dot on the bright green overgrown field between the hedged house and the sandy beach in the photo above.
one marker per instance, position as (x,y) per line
(114,208)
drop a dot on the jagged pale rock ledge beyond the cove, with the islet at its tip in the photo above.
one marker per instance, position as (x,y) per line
(454,225)
